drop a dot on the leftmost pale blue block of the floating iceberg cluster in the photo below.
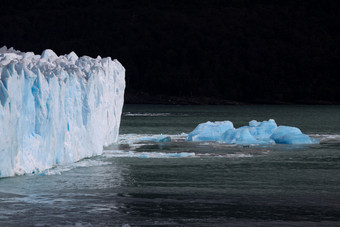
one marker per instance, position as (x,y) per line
(210,131)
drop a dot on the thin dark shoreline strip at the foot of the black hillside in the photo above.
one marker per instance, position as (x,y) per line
(144,98)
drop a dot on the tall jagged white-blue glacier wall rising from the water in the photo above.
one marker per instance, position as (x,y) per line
(56,109)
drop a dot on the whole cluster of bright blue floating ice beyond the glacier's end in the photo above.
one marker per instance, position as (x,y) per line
(266,132)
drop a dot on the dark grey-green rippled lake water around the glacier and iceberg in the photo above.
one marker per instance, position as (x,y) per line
(186,183)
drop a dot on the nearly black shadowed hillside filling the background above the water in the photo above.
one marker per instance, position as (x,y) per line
(193,51)
